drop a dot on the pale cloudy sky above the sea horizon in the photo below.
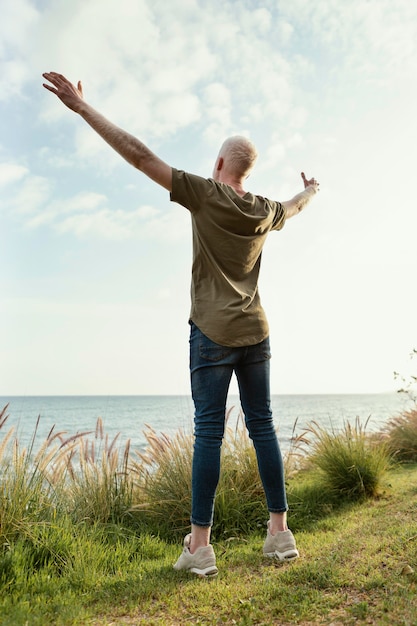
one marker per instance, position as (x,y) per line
(95,260)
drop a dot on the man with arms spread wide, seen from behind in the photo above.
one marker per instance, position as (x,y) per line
(229,329)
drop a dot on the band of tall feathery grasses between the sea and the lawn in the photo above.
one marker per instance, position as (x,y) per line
(88,479)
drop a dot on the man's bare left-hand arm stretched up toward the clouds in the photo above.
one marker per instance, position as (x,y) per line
(128,146)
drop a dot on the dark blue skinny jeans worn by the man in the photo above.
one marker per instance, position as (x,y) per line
(211,368)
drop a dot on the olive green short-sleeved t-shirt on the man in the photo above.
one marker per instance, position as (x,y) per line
(229,232)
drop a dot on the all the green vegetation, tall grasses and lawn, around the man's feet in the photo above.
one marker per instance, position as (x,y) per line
(89,531)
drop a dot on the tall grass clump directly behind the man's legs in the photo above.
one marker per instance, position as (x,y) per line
(164,483)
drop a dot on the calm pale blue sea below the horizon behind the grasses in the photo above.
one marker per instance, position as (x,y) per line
(128,416)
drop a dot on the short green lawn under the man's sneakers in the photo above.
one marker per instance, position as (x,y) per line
(356,567)
